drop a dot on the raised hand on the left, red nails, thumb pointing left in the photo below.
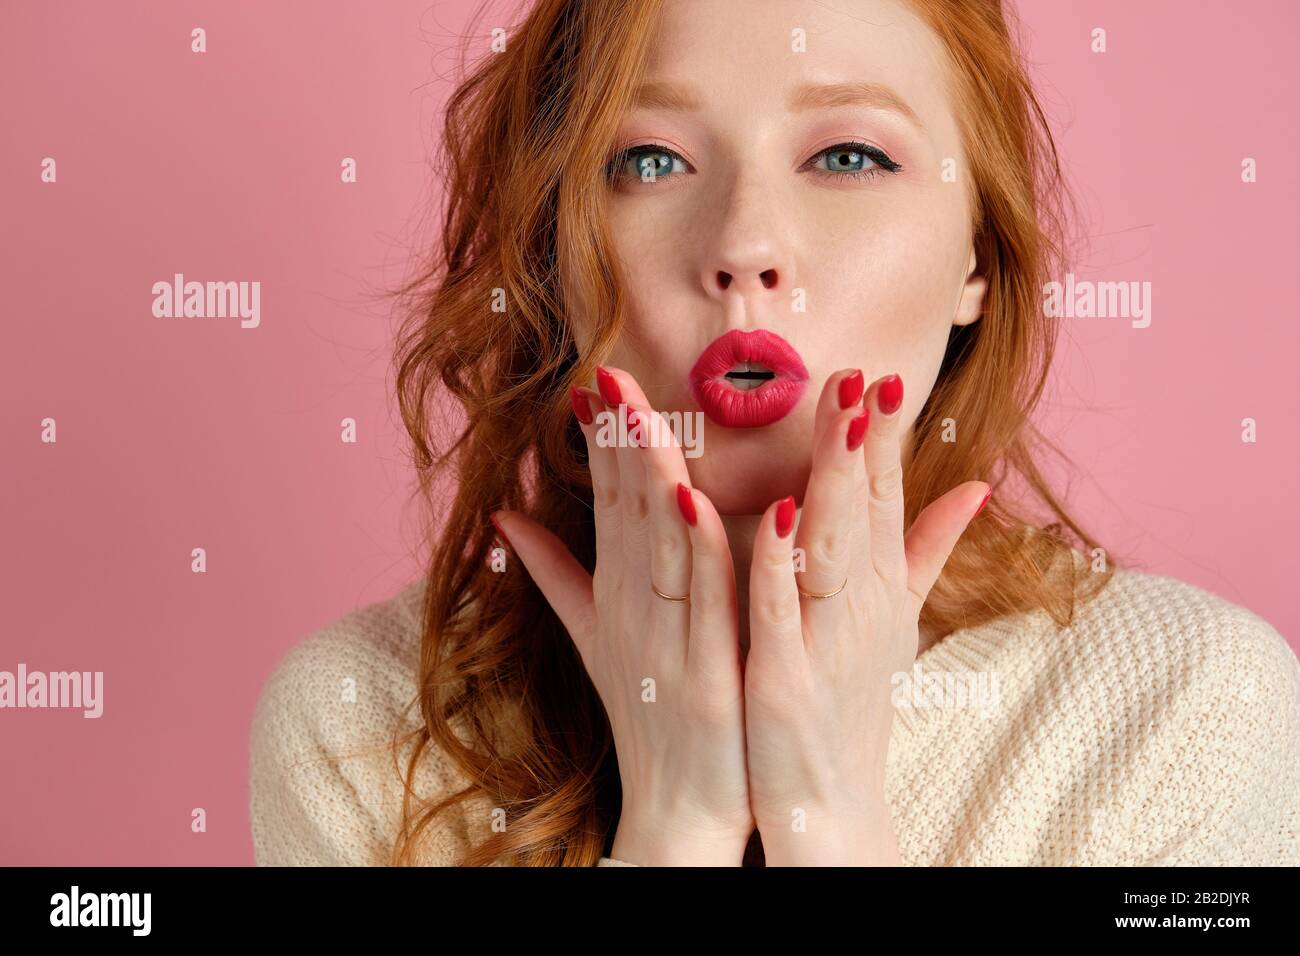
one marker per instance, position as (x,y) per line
(670,674)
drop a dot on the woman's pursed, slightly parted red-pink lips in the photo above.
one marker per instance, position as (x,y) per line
(735,408)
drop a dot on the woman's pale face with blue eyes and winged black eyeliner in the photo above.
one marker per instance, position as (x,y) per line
(808,180)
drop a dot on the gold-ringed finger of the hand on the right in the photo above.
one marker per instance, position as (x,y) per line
(830,517)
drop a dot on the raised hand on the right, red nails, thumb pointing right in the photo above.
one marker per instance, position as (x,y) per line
(820,673)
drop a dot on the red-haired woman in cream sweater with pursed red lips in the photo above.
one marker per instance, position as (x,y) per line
(799,630)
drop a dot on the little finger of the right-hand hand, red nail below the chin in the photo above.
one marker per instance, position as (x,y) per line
(775,620)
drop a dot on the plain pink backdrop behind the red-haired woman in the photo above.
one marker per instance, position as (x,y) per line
(176,434)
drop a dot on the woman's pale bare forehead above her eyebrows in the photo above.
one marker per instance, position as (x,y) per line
(744,59)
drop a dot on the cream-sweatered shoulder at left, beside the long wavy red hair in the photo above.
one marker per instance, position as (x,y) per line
(327,741)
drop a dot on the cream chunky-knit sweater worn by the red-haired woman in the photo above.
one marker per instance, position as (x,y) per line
(1163,728)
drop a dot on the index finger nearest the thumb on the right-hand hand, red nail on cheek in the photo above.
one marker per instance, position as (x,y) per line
(883,456)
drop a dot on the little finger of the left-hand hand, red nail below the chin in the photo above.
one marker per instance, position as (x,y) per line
(714,616)
